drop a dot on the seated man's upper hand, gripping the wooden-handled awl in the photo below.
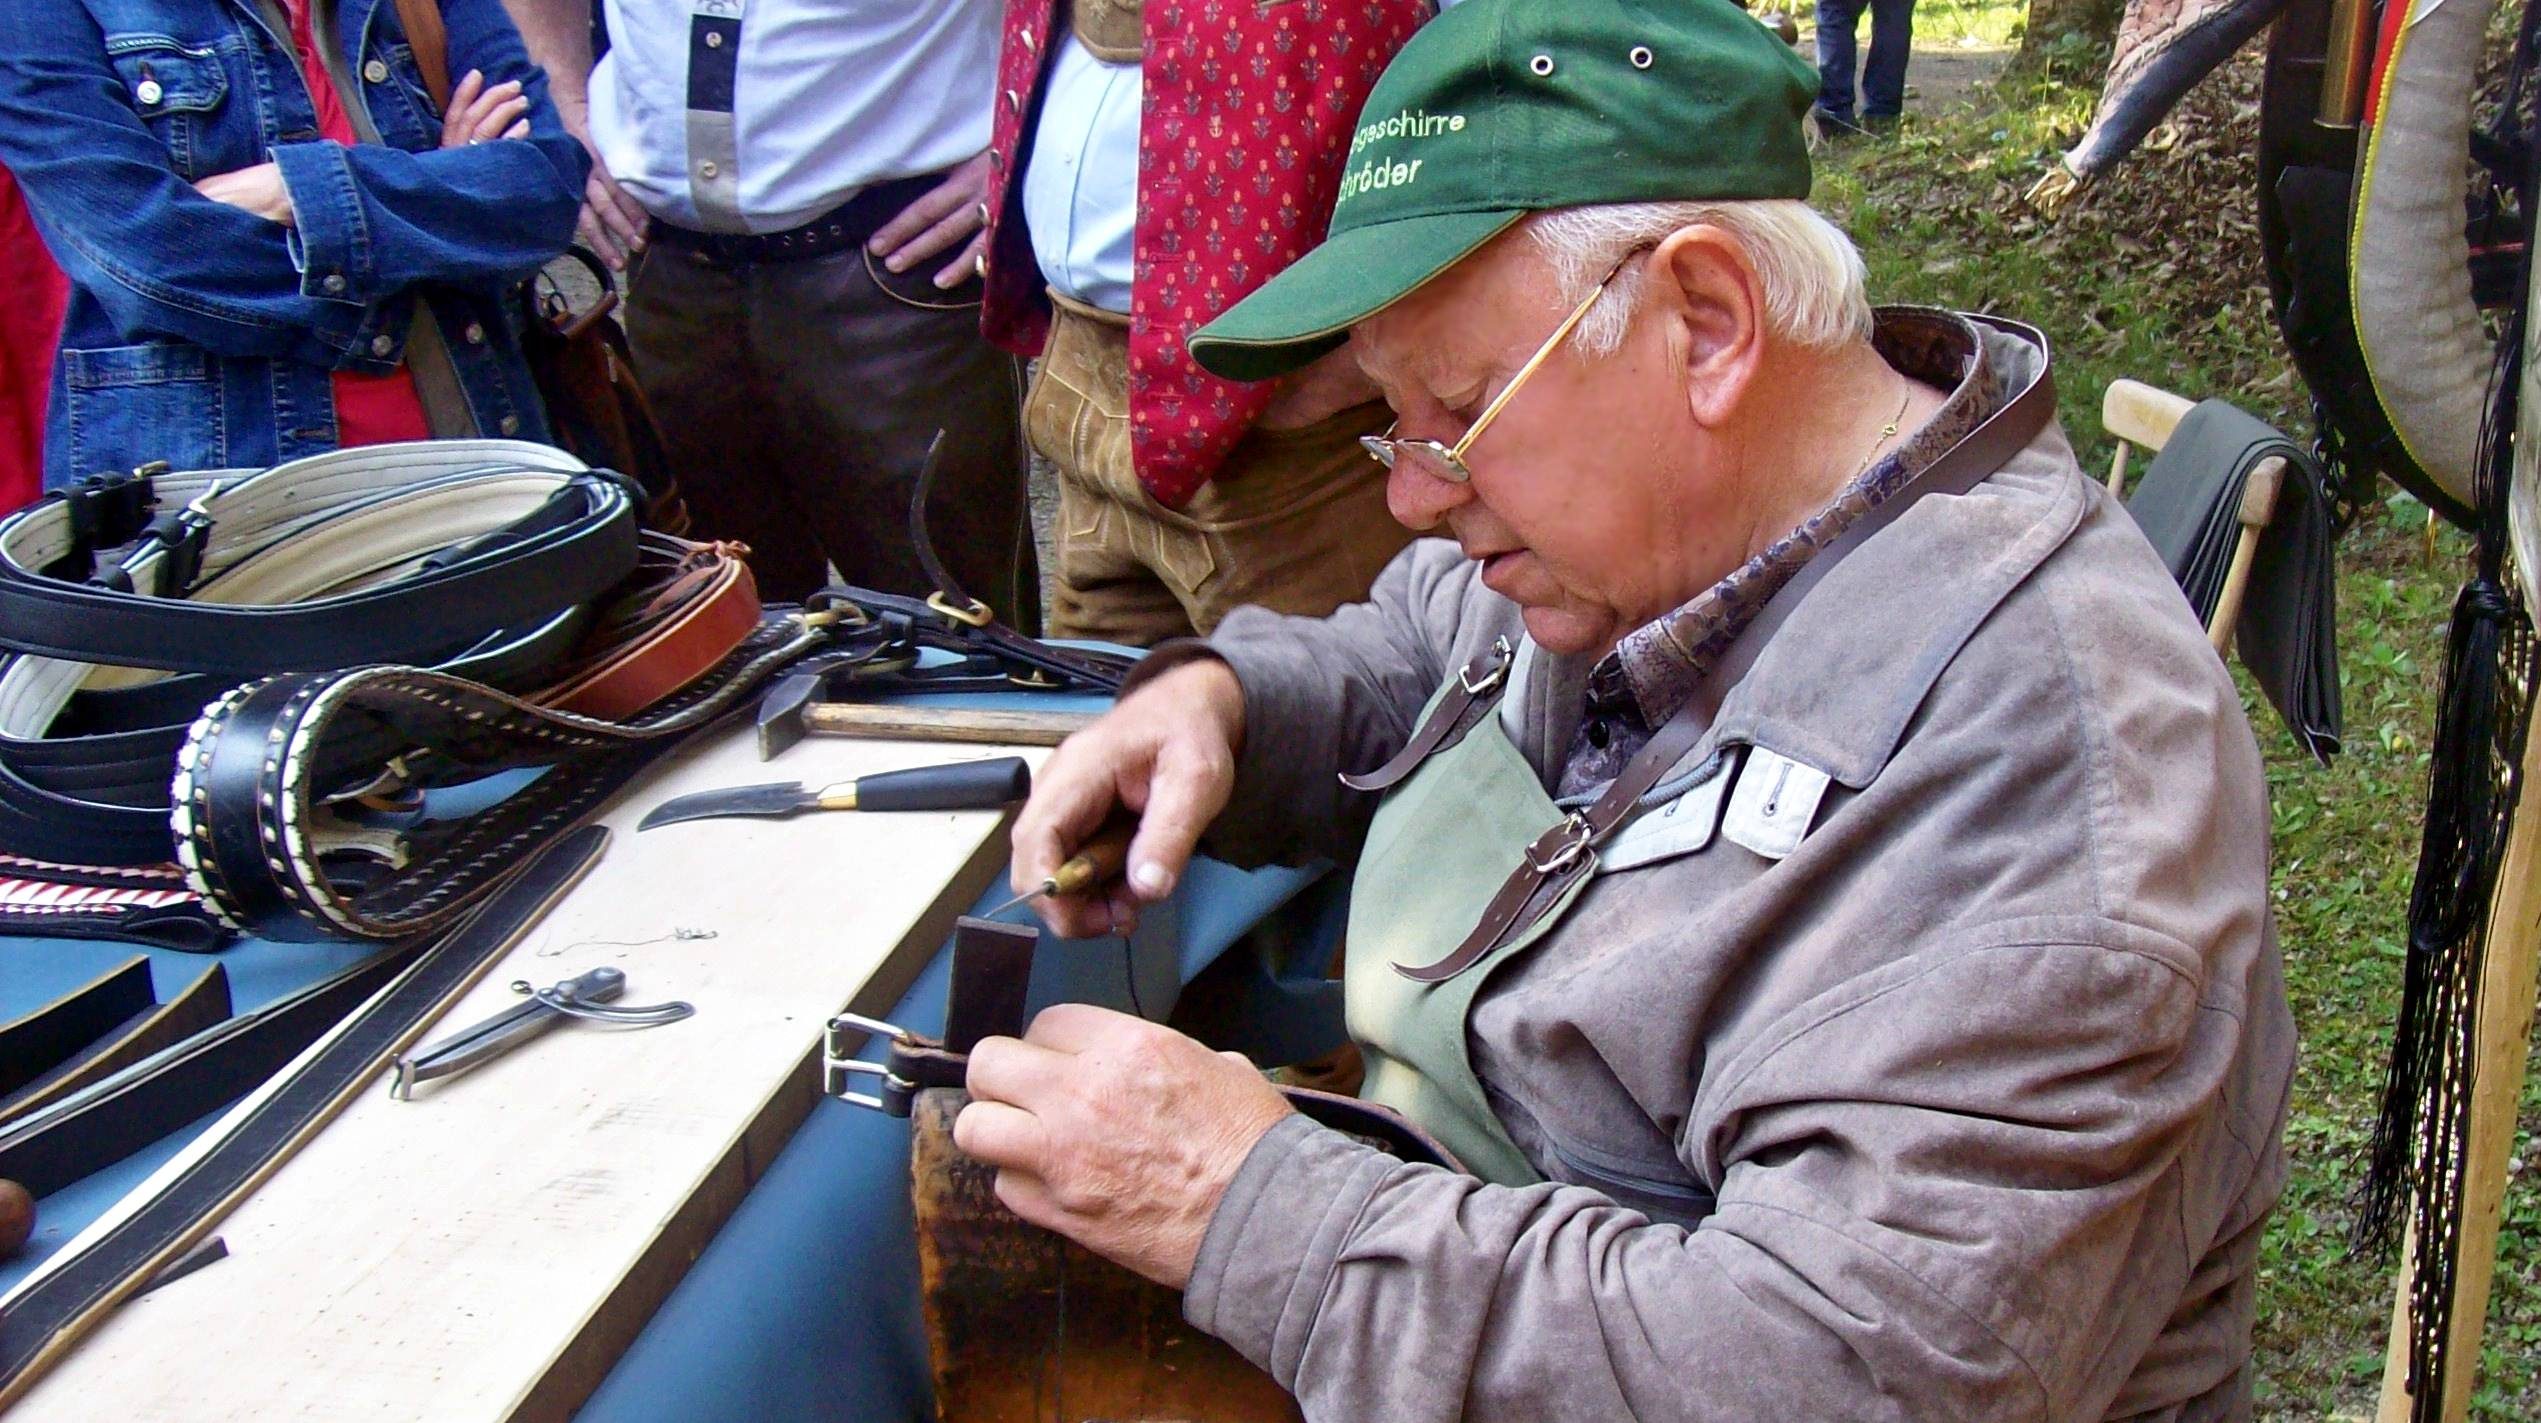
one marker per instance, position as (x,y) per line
(1170,756)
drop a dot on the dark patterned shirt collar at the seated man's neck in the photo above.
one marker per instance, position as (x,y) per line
(1650,675)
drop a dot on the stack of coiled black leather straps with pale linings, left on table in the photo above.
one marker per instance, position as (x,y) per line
(133,601)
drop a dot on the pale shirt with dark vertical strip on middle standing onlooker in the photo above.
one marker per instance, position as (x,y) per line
(761,116)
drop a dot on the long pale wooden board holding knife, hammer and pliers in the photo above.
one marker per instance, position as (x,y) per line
(487,1249)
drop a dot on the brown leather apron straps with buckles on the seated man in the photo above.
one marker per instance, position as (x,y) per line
(1567,853)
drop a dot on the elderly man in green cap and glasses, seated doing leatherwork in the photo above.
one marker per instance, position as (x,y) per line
(1810,868)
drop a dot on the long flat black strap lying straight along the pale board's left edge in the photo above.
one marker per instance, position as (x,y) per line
(57,1310)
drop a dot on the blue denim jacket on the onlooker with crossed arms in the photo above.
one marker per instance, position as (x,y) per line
(205,334)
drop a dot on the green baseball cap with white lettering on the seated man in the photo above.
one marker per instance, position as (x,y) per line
(1508,108)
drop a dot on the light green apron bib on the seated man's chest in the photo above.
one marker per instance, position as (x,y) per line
(1442,845)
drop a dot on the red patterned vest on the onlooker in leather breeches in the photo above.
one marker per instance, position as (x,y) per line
(1241,146)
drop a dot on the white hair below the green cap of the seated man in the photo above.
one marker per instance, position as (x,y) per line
(1808,268)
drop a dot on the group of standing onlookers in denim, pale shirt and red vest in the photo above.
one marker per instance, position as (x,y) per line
(840,230)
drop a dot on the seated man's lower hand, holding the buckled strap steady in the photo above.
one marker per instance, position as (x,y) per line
(1114,1132)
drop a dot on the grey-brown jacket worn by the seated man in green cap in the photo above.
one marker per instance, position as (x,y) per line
(1968,1107)
